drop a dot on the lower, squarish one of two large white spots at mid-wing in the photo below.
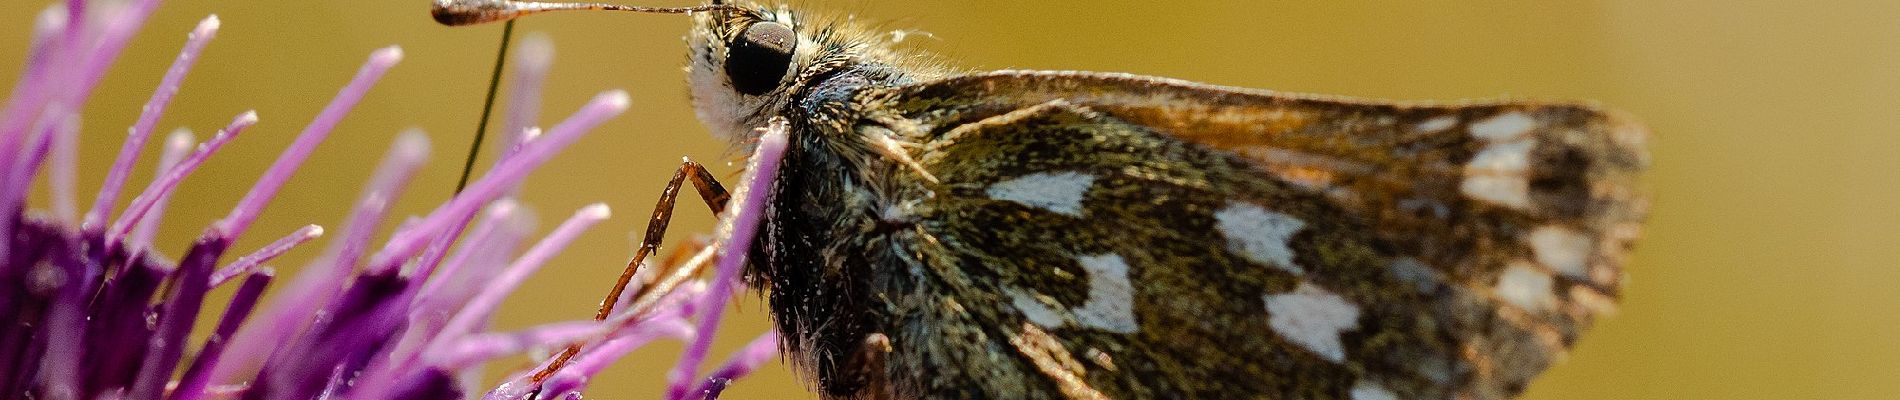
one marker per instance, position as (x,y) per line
(1314,319)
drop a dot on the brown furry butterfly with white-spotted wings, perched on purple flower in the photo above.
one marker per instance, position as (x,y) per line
(1033,234)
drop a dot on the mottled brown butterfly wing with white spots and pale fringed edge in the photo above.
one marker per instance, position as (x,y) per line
(1133,236)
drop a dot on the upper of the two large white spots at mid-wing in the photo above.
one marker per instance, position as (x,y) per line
(1259,234)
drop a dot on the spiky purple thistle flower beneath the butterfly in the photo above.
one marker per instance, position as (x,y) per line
(94,312)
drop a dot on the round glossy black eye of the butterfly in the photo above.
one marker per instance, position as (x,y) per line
(761,58)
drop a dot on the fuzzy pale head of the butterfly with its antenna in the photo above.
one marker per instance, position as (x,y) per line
(748,62)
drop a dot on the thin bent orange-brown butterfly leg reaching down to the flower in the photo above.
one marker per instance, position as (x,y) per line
(656,230)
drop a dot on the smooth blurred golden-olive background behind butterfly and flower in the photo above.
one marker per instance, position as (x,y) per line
(1768,270)
